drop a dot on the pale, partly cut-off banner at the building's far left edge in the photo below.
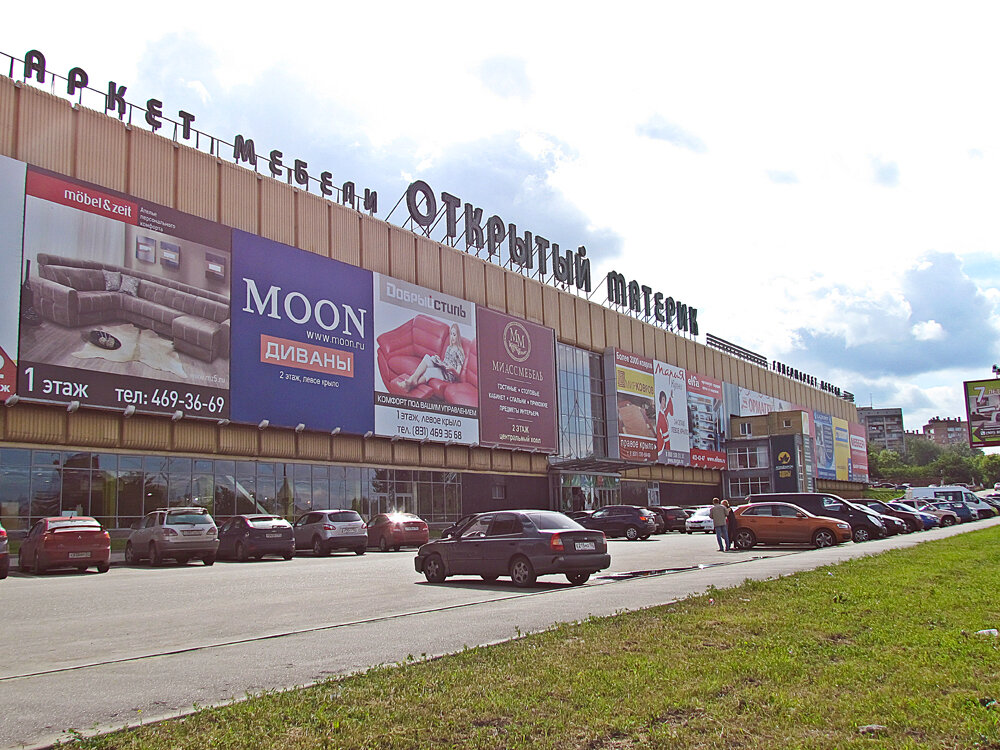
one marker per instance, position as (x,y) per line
(12,175)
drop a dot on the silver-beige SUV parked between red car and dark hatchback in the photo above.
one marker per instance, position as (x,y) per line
(180,534)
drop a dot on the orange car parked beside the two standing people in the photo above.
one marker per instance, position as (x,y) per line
(784,523)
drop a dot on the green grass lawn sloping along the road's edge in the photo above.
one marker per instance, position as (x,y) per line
(804,661)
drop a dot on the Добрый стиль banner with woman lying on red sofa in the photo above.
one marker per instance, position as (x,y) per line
(427,378)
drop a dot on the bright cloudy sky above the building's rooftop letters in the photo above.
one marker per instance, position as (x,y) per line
(821,182)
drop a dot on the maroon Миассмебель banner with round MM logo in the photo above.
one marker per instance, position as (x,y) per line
(517,383)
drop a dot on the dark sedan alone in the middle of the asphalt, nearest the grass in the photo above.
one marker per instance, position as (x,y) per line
(522,544)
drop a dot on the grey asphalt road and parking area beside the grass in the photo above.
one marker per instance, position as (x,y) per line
(94,652)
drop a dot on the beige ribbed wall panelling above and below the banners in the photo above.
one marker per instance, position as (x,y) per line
(49,132)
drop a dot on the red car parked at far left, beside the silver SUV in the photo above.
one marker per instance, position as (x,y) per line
(66,542)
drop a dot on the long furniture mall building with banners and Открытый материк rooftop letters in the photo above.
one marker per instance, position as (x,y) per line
(187,328)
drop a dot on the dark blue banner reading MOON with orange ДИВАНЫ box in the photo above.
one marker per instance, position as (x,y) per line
(302,338)
